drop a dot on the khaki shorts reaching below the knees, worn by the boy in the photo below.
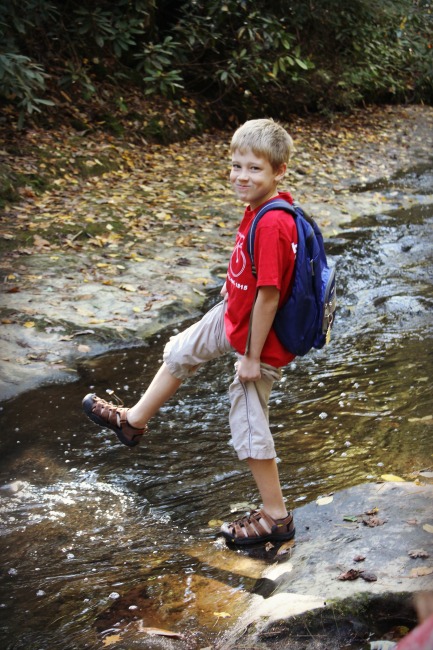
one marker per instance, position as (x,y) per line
(186,352)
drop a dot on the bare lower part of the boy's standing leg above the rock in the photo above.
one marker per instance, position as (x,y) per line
(265,473)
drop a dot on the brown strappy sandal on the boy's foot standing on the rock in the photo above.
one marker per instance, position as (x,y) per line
(258,527)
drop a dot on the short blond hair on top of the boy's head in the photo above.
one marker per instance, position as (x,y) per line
(266,139)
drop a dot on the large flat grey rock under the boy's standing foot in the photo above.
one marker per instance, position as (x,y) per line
(331,539)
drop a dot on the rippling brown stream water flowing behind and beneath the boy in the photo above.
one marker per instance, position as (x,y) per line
(100,542)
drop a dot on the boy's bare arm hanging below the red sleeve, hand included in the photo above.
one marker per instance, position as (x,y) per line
(264,310)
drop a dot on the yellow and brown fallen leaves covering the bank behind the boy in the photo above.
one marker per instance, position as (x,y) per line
(117,212)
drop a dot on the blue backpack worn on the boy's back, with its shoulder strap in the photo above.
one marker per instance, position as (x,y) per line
(305,320)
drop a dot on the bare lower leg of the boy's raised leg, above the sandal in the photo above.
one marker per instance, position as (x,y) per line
(163,386)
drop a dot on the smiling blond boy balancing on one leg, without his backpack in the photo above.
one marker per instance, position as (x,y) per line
(241,323)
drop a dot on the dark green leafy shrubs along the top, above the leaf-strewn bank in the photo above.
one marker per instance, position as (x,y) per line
(210,61)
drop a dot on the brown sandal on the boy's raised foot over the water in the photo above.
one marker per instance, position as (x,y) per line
(114,417)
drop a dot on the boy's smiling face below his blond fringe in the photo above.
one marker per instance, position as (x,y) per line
(253,179)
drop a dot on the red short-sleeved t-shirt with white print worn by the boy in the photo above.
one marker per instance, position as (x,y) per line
(274,255)
